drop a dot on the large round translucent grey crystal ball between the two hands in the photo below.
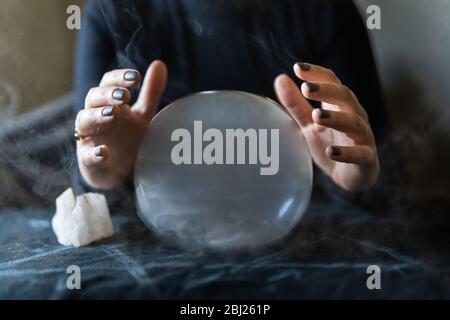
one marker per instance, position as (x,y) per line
(223,170)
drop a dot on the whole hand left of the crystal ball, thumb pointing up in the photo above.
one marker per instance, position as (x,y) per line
(111,131)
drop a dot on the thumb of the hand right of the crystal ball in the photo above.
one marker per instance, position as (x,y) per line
(292,99)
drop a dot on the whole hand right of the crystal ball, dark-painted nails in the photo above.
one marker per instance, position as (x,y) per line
(339,135)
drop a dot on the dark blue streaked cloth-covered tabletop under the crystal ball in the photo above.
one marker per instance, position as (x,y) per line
(326,257)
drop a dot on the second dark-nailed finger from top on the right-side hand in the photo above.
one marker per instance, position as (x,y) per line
(334,94)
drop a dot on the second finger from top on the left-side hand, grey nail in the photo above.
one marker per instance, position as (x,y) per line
(105,96)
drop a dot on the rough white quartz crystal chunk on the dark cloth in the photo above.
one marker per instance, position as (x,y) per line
(83,220)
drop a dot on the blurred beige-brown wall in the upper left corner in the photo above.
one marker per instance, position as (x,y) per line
(36,52)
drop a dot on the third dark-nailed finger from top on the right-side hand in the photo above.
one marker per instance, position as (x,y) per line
(349,123)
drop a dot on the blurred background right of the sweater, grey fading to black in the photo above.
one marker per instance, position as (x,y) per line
(412,51)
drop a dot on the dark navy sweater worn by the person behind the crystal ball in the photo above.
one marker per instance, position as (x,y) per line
(226,44)
